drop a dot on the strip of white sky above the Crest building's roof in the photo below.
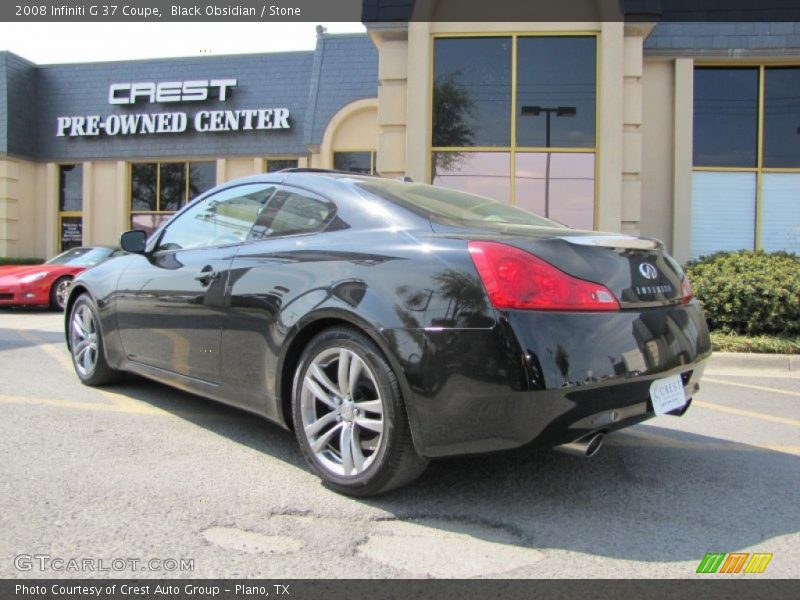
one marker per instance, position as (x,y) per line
(47,43)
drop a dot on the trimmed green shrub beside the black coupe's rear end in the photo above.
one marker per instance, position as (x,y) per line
(749,292)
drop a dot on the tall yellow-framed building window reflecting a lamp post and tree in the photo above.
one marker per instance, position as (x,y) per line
(514,118)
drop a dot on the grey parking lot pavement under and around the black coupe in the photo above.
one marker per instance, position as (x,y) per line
(141,471)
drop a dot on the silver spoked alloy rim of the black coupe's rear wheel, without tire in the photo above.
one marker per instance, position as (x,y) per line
(342,411)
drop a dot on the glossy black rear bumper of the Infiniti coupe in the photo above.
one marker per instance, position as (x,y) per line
(544,377)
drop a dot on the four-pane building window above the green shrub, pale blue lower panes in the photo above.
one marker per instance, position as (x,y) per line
(746,180)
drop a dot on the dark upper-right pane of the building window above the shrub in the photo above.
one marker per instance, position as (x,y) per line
(782,117)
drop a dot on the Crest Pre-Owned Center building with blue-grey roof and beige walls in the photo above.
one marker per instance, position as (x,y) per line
(688,132)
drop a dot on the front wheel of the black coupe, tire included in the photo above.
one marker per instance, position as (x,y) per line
(94,372)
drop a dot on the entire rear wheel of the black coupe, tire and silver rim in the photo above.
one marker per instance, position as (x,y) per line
(349,416)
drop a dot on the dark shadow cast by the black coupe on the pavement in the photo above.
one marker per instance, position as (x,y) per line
(651,493)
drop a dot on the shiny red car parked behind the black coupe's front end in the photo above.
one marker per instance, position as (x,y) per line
(48,284)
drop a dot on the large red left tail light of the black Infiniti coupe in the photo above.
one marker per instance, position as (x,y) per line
(517,279)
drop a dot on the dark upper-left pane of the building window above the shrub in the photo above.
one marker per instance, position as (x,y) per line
(725,117)
